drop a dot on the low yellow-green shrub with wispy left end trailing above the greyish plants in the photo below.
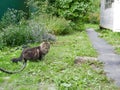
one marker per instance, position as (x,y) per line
(55,25)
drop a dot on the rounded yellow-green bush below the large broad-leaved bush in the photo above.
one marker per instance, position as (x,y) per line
(59,26)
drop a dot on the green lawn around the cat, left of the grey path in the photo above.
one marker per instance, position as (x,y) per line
(57,71)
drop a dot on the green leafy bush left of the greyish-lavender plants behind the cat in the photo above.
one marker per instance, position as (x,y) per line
(15,35)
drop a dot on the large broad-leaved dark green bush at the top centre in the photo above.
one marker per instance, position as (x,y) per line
(72,9)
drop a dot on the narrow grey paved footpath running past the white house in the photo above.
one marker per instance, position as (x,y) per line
(106,55)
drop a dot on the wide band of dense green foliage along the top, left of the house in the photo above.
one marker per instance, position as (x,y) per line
(77,11)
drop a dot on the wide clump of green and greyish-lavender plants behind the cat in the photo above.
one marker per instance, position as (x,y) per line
(23,33)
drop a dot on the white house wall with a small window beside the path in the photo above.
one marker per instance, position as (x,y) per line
(110,15)
